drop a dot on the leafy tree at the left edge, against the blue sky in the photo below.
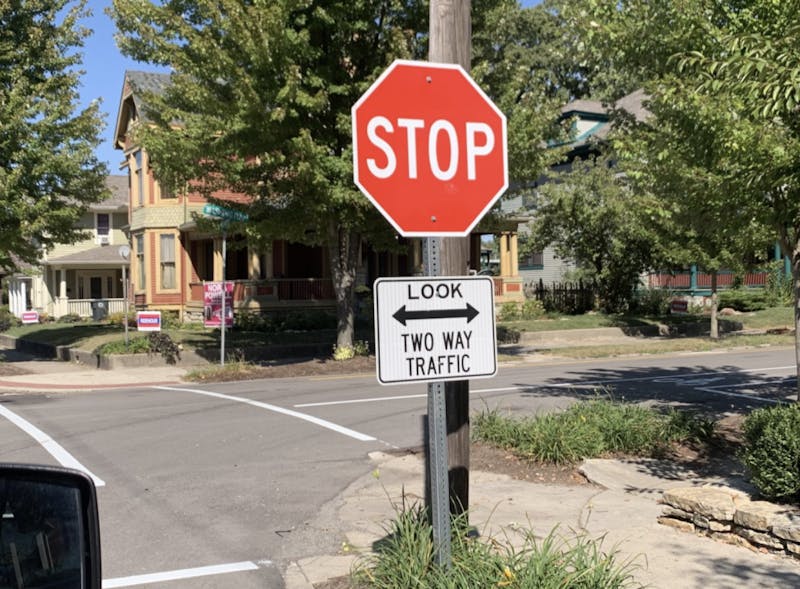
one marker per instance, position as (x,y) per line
(48,171)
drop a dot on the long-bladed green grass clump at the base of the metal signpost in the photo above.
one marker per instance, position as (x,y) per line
(406,559)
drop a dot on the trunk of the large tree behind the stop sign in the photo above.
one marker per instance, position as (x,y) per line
(343,248)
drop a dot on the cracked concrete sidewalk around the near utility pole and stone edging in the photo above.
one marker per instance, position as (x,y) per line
(621,508)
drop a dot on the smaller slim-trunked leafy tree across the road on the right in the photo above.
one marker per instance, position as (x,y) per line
(680,155)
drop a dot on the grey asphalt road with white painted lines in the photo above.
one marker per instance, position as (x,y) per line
(232,475)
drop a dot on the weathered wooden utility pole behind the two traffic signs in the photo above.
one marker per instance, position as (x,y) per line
(450,30)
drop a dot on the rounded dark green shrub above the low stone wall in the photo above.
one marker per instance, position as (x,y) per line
(772,451)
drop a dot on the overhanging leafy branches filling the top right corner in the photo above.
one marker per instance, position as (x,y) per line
(741,55)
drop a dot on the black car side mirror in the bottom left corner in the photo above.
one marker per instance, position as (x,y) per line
(49,529)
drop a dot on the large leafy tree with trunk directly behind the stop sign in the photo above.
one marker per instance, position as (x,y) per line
(260,103)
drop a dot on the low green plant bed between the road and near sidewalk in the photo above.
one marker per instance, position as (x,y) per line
(590,429)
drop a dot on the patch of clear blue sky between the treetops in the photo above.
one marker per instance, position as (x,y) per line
(105,66)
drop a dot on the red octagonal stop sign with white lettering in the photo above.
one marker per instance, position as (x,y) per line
(429,149)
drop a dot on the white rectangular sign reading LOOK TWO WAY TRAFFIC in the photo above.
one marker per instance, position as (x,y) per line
(434,329)
